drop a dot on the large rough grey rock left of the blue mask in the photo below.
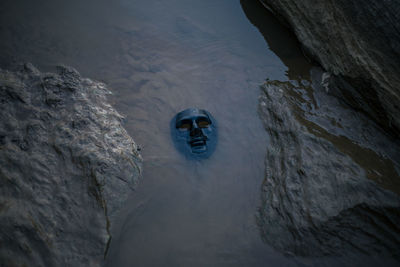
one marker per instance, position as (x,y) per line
(66,164)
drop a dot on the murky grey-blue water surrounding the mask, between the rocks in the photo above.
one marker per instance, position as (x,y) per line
(159,57)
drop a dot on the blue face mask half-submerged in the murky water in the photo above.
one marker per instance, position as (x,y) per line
(194,133)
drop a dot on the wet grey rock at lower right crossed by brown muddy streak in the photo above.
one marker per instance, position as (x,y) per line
(332,179)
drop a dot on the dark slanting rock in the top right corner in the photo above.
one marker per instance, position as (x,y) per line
(359,43)
